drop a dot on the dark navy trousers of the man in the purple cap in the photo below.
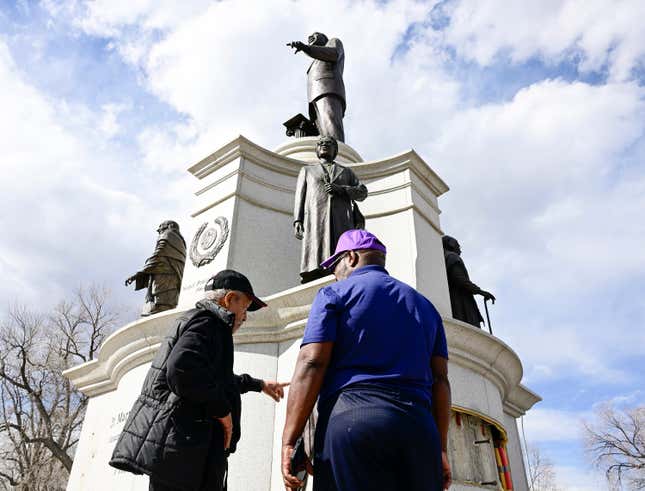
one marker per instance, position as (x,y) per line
(375,437)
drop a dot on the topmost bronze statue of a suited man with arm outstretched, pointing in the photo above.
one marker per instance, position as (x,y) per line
(325,87)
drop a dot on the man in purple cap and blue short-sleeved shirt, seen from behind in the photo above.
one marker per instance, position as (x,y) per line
(374,353)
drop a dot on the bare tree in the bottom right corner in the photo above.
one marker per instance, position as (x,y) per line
(616,443)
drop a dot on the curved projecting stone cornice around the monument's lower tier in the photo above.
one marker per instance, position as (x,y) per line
(284,320)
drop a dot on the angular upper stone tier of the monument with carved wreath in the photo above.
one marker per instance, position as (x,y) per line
(250,189)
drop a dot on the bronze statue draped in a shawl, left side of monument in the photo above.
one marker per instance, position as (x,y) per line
(163,271)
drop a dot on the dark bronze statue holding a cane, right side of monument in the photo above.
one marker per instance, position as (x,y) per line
(462,290)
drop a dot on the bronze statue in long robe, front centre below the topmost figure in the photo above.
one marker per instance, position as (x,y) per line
(325,207)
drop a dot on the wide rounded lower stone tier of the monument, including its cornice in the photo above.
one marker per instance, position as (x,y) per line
(484,374)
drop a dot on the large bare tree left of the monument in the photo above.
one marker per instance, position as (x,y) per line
(41,413)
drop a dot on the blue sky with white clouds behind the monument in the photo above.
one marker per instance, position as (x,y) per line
(532,112)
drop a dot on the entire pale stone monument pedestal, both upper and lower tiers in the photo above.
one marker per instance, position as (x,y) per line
(243,220)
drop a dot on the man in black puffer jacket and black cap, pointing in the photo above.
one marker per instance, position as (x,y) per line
(186,421)
